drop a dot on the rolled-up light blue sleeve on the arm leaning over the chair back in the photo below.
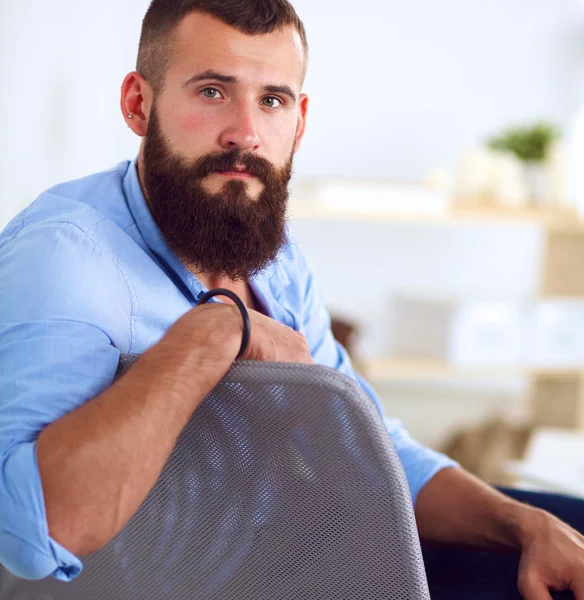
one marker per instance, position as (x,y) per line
(53,358)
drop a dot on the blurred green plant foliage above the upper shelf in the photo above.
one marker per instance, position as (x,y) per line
(527,143)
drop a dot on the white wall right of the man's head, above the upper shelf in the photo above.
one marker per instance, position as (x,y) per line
(399,87)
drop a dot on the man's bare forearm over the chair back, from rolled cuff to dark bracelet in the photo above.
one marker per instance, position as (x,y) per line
(99,462)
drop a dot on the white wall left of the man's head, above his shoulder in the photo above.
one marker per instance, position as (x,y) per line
(61,68)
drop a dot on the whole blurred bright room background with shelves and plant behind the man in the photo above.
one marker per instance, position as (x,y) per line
(439,196)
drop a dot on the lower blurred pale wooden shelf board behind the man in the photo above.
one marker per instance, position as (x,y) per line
(421,369)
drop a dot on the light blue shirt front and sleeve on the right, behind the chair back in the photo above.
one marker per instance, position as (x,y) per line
(419,462)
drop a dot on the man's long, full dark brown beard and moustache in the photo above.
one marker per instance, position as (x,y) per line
(227,233)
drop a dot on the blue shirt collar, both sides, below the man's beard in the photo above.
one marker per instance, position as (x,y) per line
(273,277)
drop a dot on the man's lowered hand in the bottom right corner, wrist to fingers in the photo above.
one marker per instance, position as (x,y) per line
(552,557)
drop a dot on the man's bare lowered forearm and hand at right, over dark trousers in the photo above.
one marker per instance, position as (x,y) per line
(455,507)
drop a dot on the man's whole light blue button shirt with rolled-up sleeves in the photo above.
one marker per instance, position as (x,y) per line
(86,275)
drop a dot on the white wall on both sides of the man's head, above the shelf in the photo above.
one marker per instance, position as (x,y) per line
(397,87)
